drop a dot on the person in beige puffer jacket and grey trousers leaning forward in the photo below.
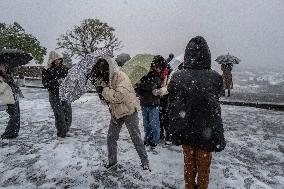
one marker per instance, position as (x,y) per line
(115,90)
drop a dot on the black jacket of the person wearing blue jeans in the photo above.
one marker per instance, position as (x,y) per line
(144,89)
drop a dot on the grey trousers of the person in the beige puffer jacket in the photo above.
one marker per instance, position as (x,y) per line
(132,124)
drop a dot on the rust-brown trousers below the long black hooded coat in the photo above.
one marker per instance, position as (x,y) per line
(196,163)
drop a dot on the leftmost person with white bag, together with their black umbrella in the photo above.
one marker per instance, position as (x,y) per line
(9,59)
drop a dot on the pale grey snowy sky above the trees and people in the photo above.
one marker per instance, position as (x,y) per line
(252,30)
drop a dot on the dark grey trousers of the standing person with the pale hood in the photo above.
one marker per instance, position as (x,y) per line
(62,113)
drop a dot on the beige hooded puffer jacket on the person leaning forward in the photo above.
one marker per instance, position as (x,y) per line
(121,96)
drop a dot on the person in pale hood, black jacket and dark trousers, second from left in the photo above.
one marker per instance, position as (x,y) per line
(52,77)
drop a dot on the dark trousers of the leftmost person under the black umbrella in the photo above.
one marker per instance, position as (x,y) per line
(13,126)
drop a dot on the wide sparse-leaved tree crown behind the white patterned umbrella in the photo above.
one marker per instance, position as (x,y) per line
(86,38)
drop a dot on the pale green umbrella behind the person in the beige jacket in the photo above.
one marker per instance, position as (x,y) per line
(137,67)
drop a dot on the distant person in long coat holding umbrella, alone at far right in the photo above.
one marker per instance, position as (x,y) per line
(227,61)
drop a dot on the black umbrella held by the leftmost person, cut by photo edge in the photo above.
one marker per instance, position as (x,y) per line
(12,58)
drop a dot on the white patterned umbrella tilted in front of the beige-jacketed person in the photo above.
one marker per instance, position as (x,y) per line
(75,83)
